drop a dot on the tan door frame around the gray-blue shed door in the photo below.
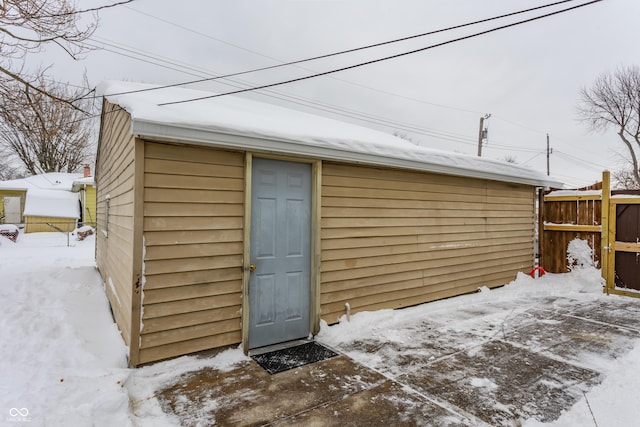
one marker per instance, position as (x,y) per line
(314,279)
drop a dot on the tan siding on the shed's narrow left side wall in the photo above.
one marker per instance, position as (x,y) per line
(115,178)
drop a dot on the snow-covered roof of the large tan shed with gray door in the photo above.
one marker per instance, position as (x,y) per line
(237,123)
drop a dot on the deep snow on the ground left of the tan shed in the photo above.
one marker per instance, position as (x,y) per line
(63,359)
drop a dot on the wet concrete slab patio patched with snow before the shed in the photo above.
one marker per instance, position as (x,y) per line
(483,364)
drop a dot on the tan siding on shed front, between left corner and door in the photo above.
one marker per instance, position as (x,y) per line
(193,231)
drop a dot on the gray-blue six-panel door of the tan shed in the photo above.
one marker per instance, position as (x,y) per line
(279,287)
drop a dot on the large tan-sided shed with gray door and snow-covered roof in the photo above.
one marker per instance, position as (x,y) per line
(226,221)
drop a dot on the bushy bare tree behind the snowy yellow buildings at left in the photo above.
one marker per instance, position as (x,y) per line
(47,135)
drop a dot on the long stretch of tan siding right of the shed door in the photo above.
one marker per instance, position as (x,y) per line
(393,238)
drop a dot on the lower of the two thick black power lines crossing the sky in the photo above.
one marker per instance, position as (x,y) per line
(384,58)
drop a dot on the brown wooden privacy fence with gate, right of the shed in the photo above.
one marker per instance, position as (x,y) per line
(608,220)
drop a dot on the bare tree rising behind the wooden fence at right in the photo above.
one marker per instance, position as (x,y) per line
(614,100)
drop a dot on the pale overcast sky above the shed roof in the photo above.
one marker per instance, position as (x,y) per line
(527,77)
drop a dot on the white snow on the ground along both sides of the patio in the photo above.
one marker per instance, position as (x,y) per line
(64,362)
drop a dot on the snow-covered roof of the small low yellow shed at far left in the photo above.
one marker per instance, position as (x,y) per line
(56,204)
